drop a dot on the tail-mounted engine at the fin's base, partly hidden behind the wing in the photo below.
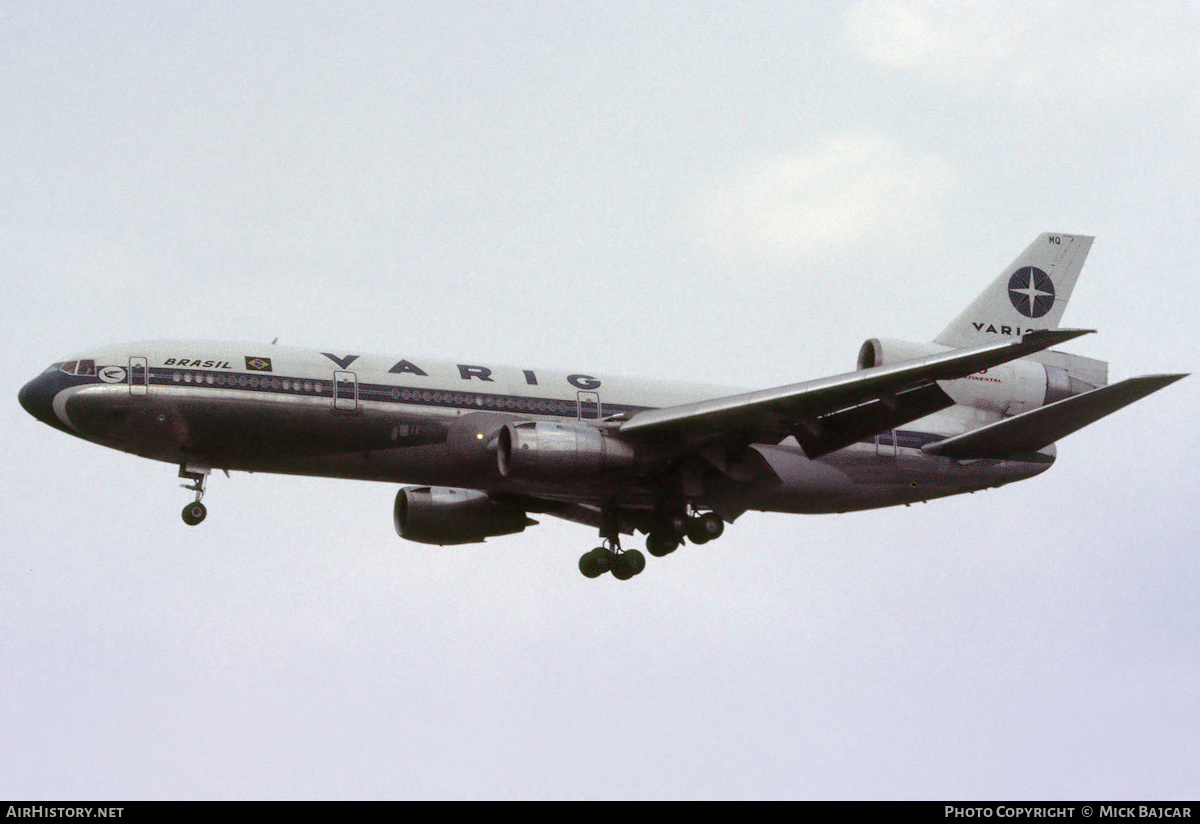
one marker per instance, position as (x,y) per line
(1009,389)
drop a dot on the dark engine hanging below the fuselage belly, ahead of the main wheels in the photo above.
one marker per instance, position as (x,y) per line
(445,516)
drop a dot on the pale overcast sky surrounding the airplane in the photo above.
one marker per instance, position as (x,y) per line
(734,194)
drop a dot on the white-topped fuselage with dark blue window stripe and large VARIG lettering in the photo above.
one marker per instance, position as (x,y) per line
(411,420)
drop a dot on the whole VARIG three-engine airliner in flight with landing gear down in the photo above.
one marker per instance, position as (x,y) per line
(487,447)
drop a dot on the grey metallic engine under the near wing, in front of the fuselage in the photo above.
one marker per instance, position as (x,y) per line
(549,452)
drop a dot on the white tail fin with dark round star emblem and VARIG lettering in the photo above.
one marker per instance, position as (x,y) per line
(1030,294)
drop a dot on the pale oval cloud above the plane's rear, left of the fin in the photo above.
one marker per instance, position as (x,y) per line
(826,199)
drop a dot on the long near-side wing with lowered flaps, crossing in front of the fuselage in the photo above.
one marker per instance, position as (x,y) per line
(831,413)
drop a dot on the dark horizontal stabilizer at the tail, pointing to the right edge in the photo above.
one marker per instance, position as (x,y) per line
(1041,428)
